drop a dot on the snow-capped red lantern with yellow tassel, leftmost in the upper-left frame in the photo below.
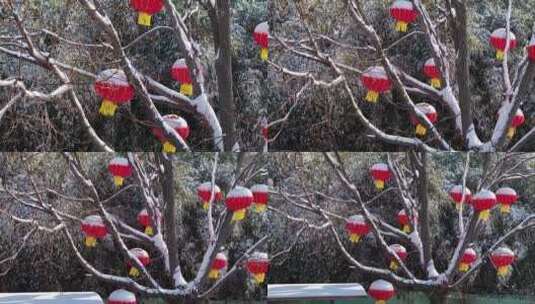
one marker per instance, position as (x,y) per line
(113,87)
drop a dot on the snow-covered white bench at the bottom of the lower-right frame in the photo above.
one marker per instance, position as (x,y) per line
(331,292)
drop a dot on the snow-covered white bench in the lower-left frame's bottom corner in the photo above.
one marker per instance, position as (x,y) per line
(51,298)
